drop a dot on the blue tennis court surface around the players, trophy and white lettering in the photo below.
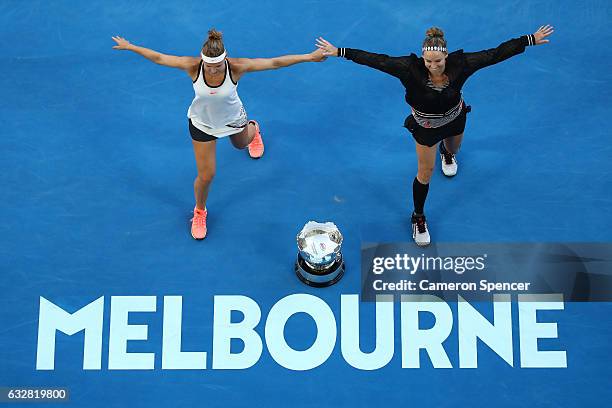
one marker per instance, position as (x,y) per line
(98,169)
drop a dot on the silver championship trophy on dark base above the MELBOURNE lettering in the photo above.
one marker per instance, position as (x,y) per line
(319,260)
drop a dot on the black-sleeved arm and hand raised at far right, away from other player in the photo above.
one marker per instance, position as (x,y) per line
(481,59)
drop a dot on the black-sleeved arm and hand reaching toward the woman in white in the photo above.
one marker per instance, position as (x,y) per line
(395,66)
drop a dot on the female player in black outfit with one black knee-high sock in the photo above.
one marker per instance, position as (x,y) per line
(433,90)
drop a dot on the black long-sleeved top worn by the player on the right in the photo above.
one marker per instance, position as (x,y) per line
(413,74)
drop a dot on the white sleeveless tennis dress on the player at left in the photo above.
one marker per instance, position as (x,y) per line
(217,110)
